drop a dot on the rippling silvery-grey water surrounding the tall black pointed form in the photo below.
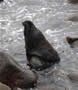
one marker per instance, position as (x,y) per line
(51,17)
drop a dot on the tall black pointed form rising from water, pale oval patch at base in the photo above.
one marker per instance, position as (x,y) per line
(38,49)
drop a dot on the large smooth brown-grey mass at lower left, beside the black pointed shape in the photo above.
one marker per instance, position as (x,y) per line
(13,75)
